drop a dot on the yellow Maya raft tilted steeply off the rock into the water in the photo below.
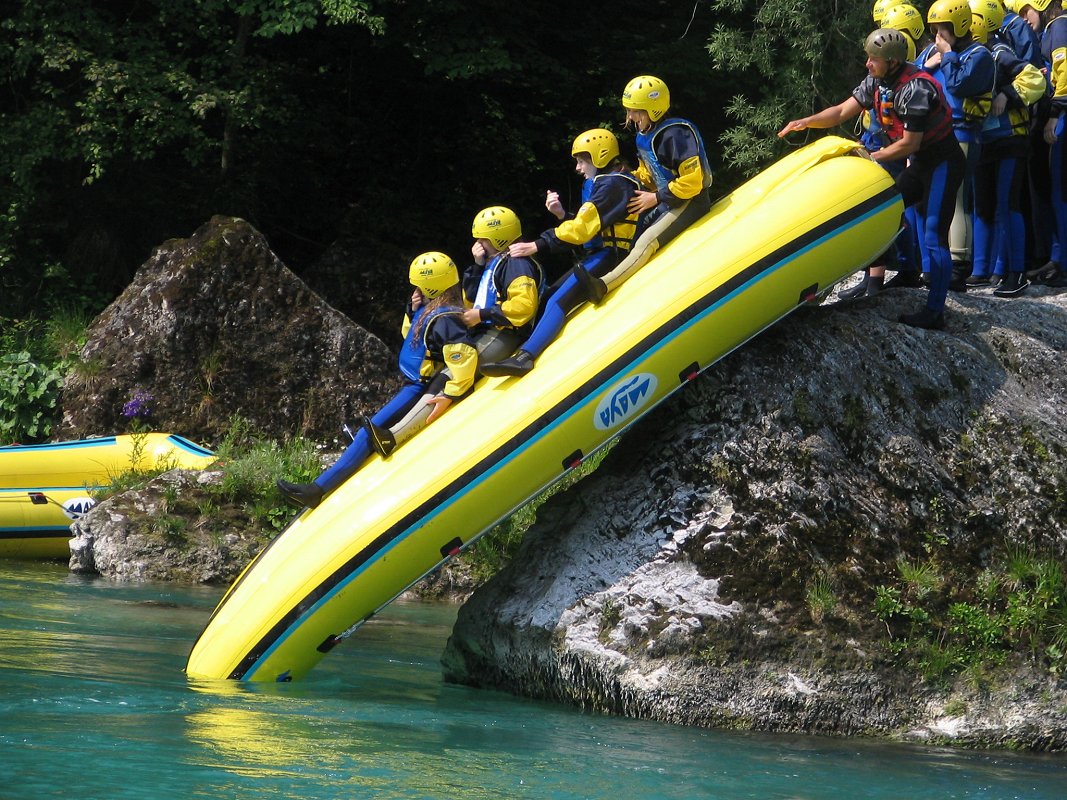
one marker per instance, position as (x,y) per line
(777,243)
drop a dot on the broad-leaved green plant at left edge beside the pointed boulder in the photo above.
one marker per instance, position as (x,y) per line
(29,393)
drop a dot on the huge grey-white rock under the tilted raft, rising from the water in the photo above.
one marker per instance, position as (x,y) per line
(672,584)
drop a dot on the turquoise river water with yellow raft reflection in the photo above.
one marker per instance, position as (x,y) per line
(94,705)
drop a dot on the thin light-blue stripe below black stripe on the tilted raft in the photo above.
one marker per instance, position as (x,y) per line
(581,407)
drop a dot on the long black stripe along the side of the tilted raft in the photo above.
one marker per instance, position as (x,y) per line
(562,409)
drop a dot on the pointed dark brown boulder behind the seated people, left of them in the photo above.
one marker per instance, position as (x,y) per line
(216,326)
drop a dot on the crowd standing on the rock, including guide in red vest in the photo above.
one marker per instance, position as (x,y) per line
(969,120)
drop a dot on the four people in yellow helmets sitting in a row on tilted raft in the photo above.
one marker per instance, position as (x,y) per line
(499,317)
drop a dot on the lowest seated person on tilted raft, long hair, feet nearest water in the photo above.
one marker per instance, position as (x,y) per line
(439,362)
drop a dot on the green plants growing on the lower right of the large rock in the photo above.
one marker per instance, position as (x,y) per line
(1018,606)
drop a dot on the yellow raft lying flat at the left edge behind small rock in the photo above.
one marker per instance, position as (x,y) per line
(43,488)
